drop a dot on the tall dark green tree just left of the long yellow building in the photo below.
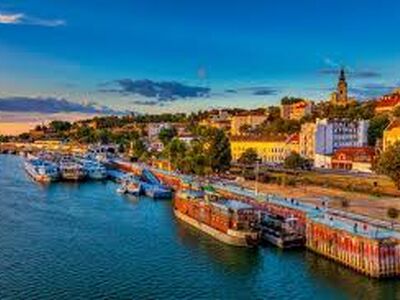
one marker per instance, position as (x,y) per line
(220,152)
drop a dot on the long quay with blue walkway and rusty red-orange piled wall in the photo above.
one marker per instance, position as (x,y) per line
(363,244)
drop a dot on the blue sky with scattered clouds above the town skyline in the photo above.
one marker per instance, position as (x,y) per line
(153,56)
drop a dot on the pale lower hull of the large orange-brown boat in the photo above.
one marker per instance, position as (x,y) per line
(234,239)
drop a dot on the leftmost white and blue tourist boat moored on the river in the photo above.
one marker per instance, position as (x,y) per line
(41,171)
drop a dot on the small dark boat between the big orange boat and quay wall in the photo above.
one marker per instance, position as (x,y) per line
(282,232)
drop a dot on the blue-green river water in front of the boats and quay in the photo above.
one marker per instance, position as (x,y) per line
(68,241)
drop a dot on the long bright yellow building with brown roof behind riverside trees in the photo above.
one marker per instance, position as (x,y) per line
(270,149)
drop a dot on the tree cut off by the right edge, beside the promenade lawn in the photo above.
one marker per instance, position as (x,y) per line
(389,163)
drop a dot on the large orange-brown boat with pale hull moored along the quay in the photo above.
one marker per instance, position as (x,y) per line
(230,221)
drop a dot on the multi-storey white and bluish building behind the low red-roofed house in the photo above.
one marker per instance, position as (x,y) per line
(333,134)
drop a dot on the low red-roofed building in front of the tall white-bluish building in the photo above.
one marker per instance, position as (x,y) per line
(359,159)
